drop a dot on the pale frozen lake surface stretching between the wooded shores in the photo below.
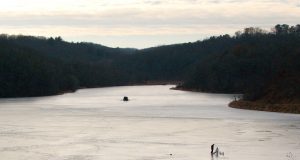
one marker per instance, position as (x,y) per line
(94,124)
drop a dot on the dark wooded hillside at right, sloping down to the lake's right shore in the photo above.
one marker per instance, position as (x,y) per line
(262,65)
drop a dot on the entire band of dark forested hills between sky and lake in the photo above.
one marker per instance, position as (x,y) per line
(262,65)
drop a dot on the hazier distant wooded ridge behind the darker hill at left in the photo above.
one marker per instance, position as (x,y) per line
(58,48)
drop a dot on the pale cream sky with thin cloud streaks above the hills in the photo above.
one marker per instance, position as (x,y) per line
(142,23)
